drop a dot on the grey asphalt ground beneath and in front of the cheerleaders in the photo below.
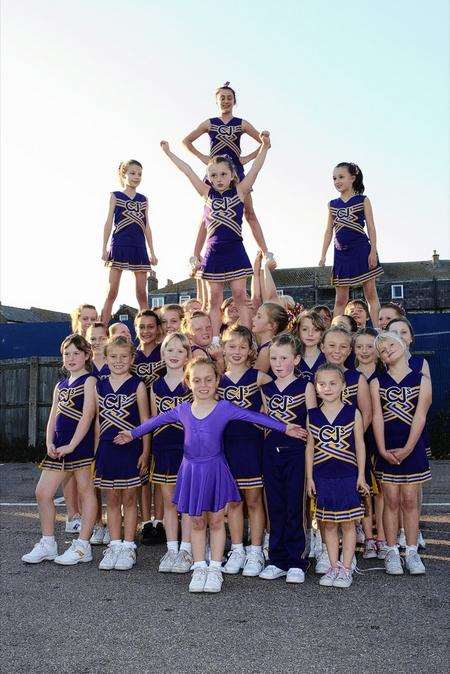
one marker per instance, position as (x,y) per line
(79,619)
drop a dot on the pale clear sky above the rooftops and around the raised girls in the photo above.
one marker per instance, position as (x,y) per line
(86,84)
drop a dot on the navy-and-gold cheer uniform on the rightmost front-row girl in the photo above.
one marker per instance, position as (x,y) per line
(399,404)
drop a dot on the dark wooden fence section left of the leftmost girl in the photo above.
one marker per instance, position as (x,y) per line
(26,390)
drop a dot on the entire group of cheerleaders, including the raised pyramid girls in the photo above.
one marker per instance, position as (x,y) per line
(305,422)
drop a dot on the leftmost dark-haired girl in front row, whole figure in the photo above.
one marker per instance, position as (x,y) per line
(70,451)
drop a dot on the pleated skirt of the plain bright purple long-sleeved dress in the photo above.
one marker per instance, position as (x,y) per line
(204,486)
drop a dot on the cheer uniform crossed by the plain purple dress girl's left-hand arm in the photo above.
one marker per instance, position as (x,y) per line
(167,440)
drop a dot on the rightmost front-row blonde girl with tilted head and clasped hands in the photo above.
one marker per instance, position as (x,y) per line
(401,399)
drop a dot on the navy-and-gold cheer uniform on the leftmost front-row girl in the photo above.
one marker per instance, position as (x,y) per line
(69,413)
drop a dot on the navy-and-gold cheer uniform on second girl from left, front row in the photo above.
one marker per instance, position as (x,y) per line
(116,465)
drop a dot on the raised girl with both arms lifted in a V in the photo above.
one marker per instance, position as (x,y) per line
(225,258)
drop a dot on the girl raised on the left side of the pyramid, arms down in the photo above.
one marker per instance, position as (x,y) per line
(128,212)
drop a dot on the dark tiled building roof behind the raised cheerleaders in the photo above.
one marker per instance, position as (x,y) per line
(394,272)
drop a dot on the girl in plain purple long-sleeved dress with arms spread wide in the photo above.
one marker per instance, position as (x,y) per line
(204,483)
